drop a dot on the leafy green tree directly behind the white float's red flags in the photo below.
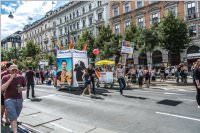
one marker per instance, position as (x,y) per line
(87,38)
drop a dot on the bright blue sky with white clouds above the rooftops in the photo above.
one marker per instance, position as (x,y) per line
(22,12)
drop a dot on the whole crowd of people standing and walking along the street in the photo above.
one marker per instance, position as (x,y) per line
(15,81)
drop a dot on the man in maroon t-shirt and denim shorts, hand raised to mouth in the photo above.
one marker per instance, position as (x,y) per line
(13,84)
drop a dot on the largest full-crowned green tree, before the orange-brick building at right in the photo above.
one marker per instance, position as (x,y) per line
(173,34)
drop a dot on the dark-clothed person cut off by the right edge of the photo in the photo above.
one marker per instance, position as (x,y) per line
(197,81)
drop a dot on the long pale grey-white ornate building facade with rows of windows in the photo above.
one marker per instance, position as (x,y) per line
(66,22)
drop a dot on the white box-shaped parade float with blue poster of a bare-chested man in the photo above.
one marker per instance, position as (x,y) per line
(70,68)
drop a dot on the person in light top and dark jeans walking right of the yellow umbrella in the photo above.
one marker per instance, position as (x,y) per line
(120,73)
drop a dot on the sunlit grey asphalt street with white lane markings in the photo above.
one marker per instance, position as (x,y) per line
(159,109)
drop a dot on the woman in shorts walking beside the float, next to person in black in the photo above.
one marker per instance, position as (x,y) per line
(87,79)
